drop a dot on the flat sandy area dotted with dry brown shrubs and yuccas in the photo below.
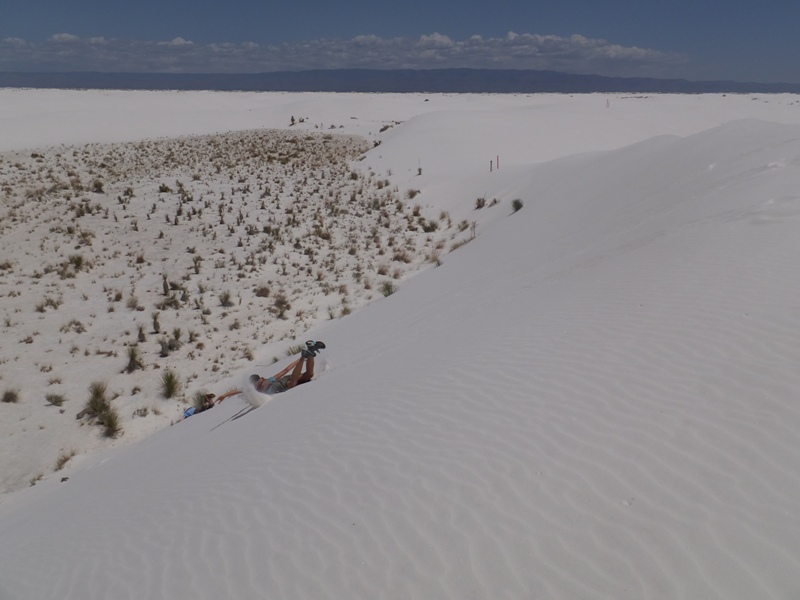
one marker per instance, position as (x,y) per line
(184,255)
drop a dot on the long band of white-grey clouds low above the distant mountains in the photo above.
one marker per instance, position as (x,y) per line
(576,53)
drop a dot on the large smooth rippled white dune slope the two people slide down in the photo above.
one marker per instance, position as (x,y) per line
(595,398)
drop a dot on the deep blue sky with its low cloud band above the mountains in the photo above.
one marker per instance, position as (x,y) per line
(695,39)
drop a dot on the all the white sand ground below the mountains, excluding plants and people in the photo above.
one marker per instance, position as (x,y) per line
(594,398)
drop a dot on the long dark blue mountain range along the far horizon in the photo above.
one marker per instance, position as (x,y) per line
(371,80)
